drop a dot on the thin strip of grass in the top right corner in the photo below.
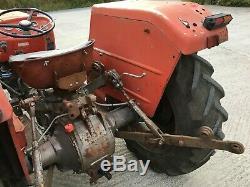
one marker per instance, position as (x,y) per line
(239,3)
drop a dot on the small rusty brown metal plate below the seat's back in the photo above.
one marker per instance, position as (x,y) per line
(72,82)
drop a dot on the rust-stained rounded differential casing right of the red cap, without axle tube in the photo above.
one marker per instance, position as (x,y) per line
(94,140)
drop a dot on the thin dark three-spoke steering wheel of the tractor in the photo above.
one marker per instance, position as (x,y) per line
(26,24)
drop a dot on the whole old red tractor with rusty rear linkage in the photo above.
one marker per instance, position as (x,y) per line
(138,78)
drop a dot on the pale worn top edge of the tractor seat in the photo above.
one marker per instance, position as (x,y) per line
(49,54)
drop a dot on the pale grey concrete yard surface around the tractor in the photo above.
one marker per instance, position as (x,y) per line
(232,69)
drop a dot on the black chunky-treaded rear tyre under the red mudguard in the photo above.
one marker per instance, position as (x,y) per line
(191,100)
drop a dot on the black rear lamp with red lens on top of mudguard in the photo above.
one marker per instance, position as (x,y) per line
(217,21)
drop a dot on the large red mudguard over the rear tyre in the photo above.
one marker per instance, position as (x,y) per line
(148,37)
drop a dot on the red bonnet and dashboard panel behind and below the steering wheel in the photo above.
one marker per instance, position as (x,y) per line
(24,45)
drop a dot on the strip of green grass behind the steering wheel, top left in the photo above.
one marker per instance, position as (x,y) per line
(48,5)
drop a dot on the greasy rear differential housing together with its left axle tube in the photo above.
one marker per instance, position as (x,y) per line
(81,150)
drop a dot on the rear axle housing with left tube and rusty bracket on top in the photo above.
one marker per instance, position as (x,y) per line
(81,149)
